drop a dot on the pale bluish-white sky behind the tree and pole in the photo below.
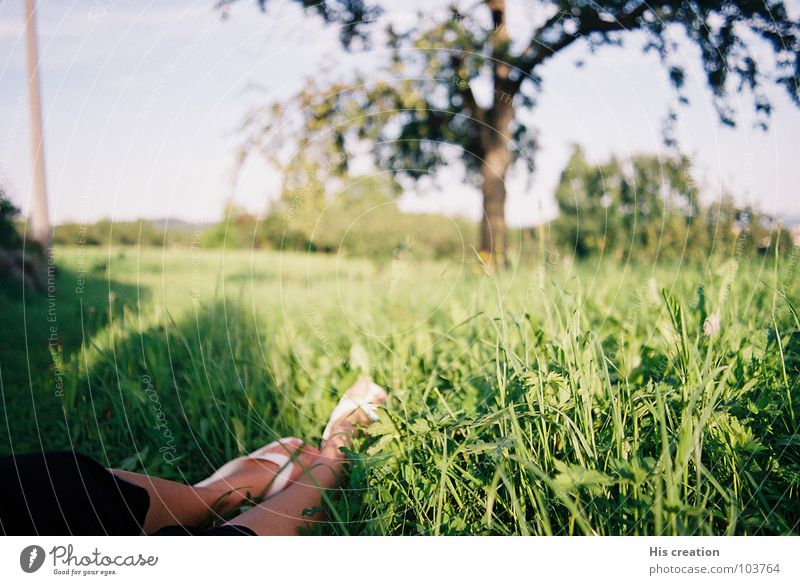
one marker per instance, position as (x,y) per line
(142,100)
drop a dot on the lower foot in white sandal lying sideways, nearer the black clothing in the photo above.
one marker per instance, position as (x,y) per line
(261,474)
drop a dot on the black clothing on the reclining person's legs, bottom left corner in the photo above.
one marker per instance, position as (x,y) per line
(63,493)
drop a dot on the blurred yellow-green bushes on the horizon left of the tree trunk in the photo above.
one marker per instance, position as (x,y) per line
(363,220)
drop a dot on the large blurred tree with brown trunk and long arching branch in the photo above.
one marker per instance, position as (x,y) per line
(424,102)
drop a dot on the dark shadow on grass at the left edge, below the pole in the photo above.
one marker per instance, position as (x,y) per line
(41,333)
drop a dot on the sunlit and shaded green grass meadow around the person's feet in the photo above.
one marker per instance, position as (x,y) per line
(577,399)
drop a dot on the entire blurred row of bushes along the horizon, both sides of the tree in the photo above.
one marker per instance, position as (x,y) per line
(647,208)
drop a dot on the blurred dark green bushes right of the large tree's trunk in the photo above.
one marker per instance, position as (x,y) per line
(649,208)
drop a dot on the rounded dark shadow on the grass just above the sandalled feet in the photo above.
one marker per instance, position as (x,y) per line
(179,398)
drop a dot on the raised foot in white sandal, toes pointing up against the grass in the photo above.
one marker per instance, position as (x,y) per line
(356,408)
